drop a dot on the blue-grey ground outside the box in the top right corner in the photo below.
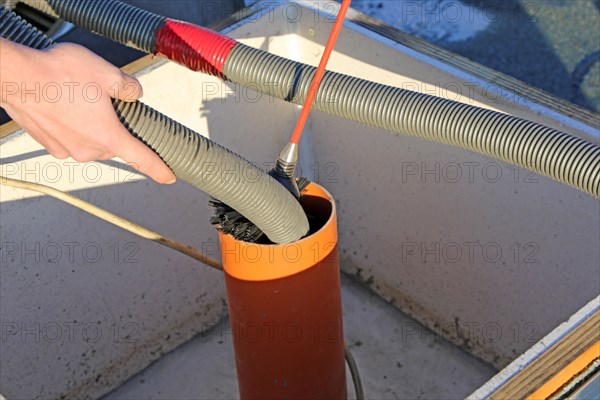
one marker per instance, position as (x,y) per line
(553,45)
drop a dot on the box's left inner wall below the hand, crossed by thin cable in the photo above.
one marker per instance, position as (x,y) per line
(84,304)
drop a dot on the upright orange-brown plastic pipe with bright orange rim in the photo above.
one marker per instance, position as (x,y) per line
(286,313)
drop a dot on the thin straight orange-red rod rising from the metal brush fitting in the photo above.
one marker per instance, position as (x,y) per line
(316,82)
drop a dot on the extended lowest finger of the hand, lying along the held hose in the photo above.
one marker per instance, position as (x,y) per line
(143,159)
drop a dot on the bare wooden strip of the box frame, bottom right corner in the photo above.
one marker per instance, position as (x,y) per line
(552,361)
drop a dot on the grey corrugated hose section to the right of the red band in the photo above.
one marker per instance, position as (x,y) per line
(558,155)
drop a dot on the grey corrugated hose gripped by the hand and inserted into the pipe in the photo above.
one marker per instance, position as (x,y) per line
(199,161)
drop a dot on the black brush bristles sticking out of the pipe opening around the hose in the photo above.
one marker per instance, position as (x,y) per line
(235,224)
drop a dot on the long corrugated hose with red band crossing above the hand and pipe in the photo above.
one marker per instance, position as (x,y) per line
(549,152)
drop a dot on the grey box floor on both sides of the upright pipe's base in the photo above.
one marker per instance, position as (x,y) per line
(398,359)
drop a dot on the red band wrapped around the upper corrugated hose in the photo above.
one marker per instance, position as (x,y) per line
(196,48)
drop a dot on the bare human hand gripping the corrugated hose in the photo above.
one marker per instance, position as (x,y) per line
(62,97)
